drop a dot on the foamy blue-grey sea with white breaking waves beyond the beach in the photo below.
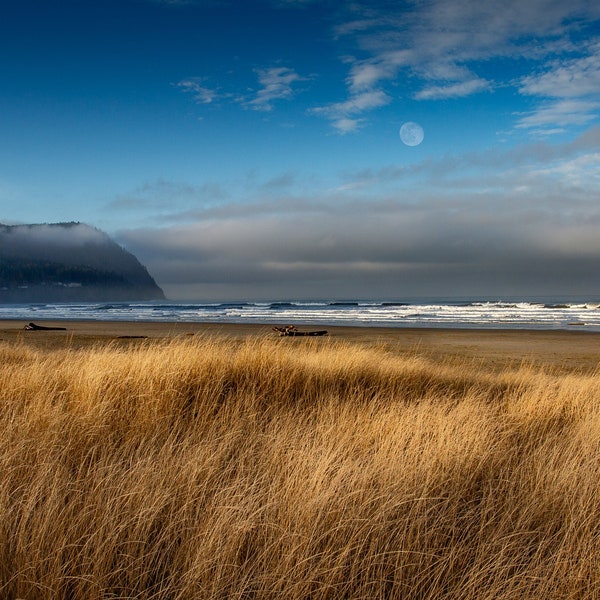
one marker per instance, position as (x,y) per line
(512,313)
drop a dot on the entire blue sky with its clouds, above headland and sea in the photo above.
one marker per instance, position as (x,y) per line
(251,149)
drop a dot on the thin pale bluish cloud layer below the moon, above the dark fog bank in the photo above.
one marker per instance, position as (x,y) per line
(544,174)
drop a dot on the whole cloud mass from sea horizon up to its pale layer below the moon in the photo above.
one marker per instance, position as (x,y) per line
(481,223)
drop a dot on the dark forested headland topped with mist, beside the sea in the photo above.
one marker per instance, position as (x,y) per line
(69,262)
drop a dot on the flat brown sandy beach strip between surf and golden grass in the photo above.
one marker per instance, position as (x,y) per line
(569,351)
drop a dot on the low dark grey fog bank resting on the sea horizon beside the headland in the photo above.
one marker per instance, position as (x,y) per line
(371,250)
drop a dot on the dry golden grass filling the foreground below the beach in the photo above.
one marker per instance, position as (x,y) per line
(202,468)
